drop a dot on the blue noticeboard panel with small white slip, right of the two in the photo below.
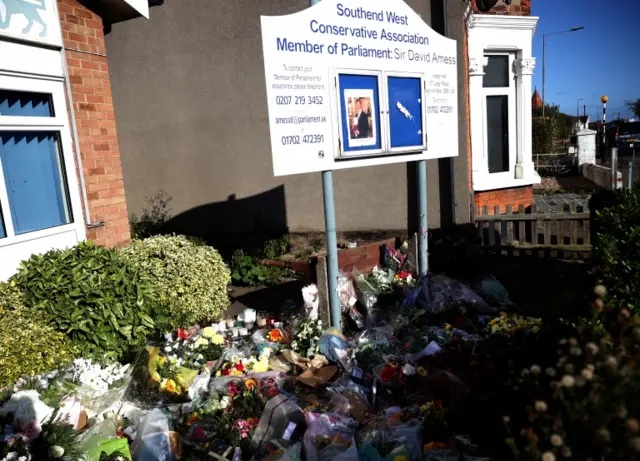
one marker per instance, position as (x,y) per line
(405,112)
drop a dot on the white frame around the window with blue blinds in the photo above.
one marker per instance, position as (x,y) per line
(58,124)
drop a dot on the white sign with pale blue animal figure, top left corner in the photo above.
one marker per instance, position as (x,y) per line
(32,20)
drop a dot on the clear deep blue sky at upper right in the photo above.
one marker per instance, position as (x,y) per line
(603,58)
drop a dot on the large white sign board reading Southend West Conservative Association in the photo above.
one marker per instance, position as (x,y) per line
(354,83)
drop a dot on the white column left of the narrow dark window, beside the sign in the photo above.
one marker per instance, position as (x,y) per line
(477,109)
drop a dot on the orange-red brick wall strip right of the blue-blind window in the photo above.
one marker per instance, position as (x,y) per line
(83,36)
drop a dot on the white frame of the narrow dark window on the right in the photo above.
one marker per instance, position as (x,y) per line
(510,92)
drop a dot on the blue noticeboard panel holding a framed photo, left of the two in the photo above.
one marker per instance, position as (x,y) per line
(360,111)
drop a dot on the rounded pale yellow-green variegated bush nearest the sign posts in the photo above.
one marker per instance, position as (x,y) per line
(191,278)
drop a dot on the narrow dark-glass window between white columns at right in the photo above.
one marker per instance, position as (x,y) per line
(499,93)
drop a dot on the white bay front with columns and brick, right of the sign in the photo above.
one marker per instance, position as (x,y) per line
(501,66)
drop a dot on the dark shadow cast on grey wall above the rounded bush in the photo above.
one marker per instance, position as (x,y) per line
(235,223)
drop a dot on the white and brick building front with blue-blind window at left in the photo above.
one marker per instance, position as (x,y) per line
(60,172)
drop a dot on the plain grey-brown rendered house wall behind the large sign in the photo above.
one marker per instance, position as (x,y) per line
(189,89)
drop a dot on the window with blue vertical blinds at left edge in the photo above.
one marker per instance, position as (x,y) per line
(34,189)
